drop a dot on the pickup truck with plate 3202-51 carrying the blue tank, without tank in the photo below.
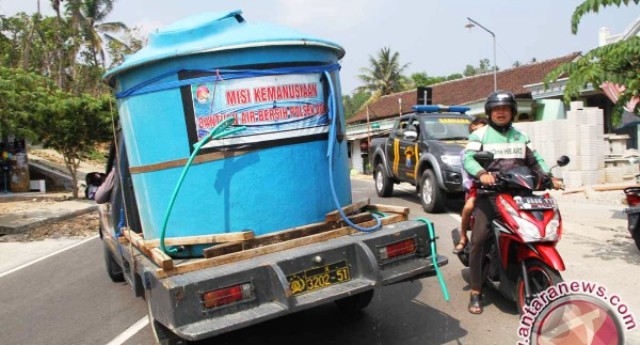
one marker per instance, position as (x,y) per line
(238,284)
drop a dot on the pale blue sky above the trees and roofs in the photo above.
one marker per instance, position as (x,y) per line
(429,35)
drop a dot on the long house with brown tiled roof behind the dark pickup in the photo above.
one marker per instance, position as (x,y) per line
(378,118)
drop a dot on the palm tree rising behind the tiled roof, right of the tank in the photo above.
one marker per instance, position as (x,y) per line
(384,75)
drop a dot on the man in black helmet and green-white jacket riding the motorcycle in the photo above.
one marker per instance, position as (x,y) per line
(511,148)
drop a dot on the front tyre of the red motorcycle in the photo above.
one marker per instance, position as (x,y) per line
(541,277)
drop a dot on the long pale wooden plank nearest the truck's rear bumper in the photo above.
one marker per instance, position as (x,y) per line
(248,254)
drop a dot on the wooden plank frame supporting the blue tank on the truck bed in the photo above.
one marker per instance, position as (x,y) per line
(243,245)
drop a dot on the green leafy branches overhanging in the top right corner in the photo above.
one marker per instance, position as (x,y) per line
(618,63)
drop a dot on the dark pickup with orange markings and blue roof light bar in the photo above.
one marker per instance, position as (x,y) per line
(423,149)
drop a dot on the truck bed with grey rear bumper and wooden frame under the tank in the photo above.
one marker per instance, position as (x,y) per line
(274,269)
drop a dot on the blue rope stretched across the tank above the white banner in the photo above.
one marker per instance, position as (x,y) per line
(149,86)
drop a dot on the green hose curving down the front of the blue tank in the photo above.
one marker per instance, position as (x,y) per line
(218,132)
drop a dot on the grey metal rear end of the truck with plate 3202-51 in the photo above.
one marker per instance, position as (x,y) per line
(207,302)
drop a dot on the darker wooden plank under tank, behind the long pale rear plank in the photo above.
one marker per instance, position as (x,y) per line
(280,236)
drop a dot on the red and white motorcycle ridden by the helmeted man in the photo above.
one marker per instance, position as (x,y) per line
(520,258)
